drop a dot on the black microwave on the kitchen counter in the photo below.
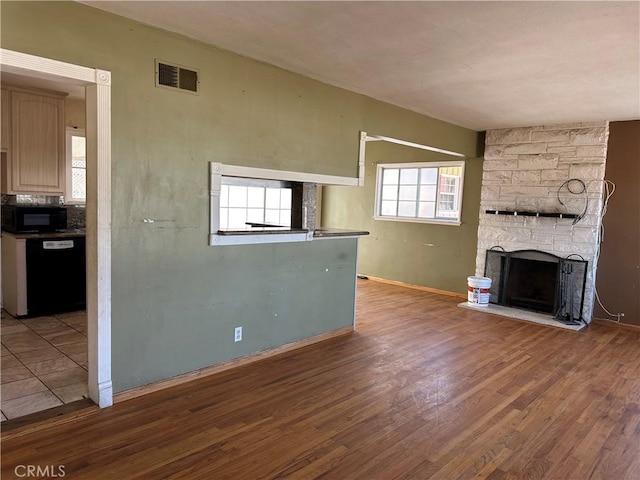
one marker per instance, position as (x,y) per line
(31,218)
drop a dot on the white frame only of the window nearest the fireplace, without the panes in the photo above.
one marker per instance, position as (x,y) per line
(437,220)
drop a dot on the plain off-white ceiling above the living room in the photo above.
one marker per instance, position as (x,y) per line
(482,65)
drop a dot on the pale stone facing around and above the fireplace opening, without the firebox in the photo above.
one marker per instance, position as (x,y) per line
(524,169)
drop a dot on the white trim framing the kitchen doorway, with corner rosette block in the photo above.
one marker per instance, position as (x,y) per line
(97,85)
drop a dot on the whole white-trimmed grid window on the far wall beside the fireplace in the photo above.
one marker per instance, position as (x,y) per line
(429,192)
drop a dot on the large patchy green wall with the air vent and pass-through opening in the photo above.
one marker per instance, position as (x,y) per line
(175,300)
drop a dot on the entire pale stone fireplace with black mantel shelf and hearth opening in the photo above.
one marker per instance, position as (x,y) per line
(533,178)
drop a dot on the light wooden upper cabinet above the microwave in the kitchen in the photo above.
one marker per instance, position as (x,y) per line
(37,163)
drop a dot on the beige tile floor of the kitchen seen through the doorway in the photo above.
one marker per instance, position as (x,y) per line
(44,362)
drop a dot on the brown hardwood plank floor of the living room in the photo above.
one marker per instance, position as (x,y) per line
(423,389)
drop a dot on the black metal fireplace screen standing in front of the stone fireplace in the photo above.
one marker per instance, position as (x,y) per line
(537,281)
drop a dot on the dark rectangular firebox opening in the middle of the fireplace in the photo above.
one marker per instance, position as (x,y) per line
(532,285)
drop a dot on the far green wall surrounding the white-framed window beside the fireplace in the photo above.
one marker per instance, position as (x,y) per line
(431,255)
